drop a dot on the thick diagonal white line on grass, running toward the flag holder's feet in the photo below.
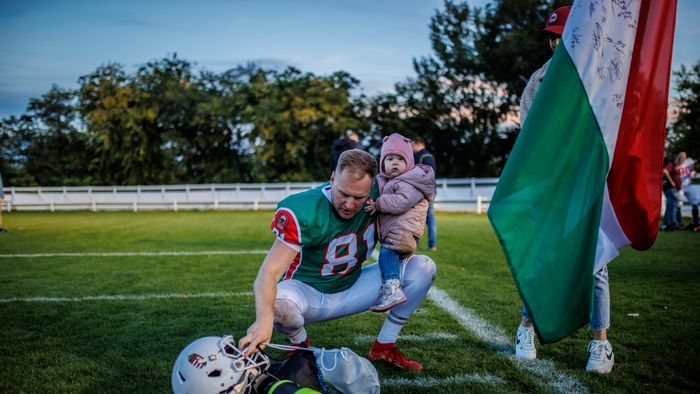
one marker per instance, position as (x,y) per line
(497,339)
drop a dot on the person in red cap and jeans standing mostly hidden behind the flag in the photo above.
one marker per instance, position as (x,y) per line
(601,358)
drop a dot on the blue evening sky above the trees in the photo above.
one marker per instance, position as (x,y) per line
(45,42)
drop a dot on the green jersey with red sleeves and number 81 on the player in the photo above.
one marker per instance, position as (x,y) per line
(330,249)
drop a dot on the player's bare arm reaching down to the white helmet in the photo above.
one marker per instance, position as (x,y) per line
(276,262)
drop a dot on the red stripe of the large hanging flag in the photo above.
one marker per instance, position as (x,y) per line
(634,181)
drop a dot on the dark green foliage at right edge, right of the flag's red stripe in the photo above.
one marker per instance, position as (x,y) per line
(685,132)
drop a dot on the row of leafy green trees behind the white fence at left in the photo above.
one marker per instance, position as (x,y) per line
(164,124)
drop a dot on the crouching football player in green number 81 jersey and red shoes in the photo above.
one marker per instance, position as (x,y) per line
(313,271)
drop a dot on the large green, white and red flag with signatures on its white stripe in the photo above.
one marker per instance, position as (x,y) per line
(584,176)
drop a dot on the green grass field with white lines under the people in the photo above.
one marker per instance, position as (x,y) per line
(77,315)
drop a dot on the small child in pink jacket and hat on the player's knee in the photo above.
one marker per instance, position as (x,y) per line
(405,190)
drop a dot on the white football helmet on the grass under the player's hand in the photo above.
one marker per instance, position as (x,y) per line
(216,365)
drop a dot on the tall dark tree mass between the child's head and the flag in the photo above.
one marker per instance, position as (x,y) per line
(463,100)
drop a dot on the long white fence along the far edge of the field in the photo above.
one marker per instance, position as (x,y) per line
(470,194)
